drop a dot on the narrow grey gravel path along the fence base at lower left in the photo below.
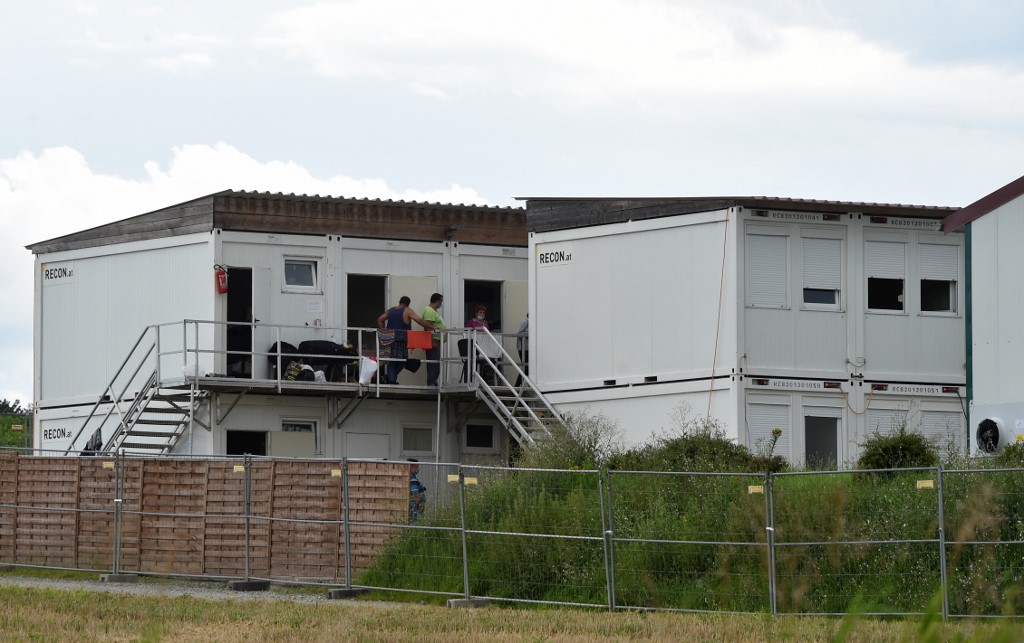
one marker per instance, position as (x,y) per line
(175,587)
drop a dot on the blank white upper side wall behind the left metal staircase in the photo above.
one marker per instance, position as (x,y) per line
(92,323)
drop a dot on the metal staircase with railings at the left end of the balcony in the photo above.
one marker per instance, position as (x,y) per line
(143,416)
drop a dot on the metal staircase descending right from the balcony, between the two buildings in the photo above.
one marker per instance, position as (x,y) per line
(525,412)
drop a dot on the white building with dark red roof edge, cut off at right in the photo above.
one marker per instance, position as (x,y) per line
(994,229)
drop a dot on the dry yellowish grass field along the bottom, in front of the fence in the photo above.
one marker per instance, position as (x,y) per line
(42,615)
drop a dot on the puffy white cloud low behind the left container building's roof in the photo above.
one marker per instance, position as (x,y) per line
(56,193)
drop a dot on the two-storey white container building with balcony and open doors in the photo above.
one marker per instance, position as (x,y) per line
(147,295)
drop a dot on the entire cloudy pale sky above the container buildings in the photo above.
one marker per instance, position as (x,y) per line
(113,109)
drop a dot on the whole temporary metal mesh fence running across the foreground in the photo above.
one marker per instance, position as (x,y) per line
(809,543)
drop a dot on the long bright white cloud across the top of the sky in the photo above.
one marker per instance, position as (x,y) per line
(603,51)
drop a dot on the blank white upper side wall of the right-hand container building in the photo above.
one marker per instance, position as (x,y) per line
(629,306)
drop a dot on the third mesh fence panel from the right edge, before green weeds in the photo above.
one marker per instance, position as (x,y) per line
(689,541)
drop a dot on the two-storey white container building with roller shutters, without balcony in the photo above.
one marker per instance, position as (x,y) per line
(831,321)
